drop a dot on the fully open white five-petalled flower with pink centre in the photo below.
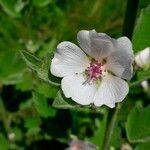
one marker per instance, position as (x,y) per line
(96,74)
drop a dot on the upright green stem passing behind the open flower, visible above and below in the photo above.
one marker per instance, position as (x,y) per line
(129,21)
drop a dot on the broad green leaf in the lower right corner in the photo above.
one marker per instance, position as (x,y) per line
(138,125)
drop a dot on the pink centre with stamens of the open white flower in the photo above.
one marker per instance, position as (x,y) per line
(96,71)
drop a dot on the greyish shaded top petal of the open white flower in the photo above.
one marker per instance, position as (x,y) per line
(97,45)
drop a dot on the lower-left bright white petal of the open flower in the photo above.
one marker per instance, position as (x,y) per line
(73,87)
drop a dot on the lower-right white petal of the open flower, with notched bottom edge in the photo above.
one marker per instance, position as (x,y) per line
(111,90)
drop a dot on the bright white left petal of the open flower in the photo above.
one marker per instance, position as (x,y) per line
(68,59)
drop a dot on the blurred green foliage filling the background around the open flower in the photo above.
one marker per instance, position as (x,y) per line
(27,119)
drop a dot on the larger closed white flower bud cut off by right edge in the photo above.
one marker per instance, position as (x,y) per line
(142,59)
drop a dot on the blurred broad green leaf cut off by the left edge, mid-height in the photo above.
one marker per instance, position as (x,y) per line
(11,71)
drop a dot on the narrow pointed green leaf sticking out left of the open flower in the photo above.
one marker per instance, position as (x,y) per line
(41,67)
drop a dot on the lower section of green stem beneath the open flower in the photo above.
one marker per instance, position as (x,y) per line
(112,117)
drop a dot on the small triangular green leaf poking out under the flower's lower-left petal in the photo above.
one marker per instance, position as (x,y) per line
(64,103)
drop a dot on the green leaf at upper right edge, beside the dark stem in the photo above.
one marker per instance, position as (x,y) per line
(141,36)
